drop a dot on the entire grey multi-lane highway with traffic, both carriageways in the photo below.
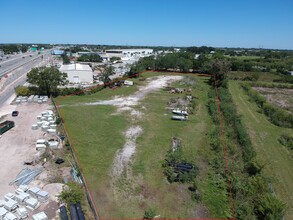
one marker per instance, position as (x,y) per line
(16,70)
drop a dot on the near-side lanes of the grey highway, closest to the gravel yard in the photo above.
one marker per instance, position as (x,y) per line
(17,75)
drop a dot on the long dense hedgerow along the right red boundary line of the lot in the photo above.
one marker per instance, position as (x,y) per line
(250,189)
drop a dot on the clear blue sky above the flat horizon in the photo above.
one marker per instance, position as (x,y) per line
(216,23)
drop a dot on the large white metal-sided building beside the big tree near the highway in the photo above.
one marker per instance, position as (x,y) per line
(78,73)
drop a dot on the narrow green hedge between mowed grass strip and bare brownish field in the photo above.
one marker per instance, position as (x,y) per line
(275,114)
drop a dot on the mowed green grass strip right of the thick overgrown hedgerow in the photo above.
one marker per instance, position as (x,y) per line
(264,135)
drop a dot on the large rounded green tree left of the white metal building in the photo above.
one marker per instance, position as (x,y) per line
(46,79)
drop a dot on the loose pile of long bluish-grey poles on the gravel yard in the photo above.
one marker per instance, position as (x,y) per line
(26,176)
